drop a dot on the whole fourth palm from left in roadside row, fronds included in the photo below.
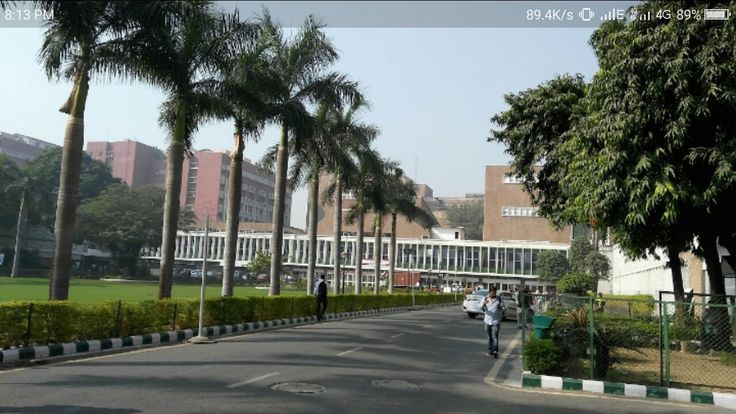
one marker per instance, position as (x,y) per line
(298,69)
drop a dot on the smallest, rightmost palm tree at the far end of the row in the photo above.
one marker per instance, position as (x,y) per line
(402,201)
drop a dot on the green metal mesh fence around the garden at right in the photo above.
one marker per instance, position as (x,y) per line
(643,340)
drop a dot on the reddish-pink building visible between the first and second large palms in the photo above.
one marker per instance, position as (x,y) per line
(135,163)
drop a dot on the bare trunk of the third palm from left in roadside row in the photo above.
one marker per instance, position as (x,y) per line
(235,184)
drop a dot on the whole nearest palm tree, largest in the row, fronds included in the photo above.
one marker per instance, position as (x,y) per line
(81,40)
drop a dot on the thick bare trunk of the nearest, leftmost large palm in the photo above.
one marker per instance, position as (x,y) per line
(66,204)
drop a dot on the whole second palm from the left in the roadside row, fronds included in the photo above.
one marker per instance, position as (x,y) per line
(183,58)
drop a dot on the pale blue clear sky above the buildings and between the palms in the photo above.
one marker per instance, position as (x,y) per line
(432,92)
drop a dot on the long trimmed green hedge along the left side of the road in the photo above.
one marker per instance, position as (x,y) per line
(59,322)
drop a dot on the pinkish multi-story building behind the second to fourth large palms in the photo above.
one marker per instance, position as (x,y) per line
(204,189)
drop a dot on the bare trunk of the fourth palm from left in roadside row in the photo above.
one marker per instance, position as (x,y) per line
(279,205)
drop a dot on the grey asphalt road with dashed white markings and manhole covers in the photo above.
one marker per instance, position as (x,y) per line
(415,362)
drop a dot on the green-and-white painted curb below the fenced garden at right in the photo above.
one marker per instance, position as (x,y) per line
(725,400)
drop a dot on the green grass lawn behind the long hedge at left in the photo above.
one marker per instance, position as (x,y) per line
(98,291)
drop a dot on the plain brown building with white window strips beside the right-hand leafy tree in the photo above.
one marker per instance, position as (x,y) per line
(508,213)
